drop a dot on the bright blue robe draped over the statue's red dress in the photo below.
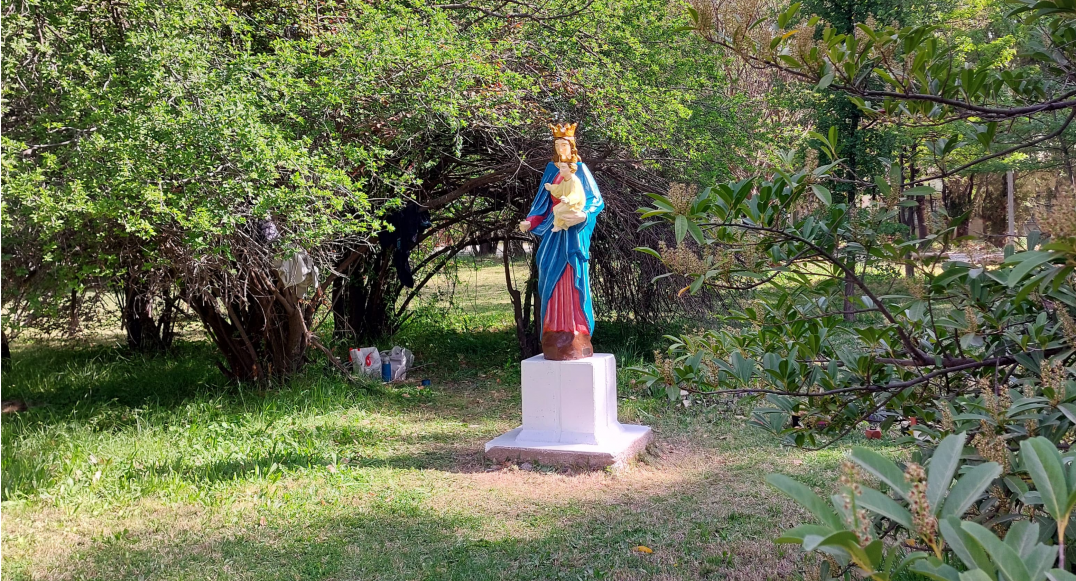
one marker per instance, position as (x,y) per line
(572,247)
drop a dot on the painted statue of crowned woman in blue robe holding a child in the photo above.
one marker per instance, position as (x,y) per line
(563,216)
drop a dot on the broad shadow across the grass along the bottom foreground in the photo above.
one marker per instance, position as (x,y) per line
(402,536)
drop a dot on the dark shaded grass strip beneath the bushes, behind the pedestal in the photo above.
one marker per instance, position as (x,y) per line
(64,379)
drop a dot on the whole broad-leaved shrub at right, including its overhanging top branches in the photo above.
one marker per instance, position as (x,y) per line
(961,355)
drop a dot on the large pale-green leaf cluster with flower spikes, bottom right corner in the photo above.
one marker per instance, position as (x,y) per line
(927,513)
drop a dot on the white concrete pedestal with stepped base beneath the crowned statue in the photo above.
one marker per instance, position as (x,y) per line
(570,417)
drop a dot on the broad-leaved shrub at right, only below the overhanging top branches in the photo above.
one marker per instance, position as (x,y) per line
(968,352)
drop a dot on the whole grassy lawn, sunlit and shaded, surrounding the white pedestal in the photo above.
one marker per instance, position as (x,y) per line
(130,467)
